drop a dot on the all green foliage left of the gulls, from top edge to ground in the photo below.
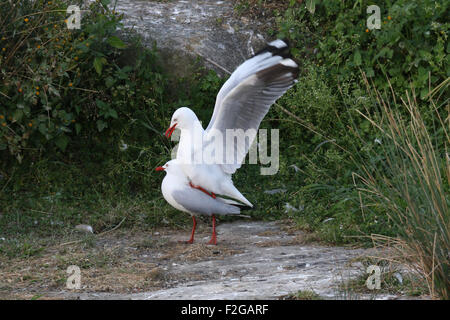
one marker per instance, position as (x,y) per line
(88,144)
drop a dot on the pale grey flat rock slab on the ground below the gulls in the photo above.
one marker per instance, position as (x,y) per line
(253,260)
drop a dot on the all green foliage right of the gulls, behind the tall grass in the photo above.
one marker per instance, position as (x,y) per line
(321,129)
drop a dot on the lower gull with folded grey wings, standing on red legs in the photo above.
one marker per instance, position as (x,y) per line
(177,191)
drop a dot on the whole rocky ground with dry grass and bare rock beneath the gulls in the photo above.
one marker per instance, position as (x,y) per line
(253,260)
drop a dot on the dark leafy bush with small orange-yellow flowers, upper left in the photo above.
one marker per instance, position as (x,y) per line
(58,84)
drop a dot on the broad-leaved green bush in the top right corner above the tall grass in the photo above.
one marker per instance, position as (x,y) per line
(411,48)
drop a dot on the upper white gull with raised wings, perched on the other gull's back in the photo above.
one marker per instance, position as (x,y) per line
(241,105)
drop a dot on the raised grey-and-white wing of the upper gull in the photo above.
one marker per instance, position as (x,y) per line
(246,104)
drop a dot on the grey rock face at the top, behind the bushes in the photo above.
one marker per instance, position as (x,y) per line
(195,28)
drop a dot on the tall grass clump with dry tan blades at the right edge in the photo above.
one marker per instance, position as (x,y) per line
(411,184)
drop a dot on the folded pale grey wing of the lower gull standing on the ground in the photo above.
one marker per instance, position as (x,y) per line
(197,202)
